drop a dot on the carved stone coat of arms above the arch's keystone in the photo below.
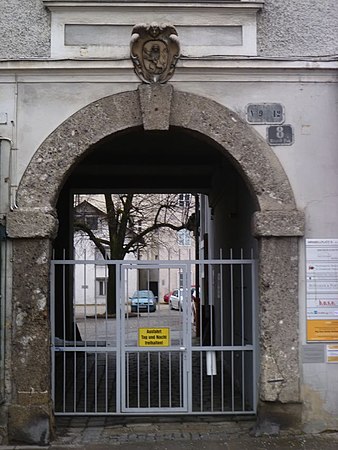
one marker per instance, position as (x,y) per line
(154,51)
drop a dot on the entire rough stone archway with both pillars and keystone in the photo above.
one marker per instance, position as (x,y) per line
(277,224)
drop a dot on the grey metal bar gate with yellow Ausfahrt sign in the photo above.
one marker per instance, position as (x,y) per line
(195,355)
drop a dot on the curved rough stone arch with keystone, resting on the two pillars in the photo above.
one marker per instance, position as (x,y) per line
(68,144)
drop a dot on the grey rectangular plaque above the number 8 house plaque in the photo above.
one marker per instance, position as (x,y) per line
(265,113)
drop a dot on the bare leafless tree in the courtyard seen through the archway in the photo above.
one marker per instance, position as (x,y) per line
(133,221)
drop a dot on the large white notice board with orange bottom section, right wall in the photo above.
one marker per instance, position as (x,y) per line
(322,289)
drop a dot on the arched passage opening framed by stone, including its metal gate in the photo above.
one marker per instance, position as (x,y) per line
(195,354)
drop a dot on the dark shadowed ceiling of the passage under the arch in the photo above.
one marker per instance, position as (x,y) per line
(167,161)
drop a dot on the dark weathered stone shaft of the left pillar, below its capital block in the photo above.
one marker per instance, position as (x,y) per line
(30,325)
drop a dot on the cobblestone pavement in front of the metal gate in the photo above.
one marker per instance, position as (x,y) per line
(101,434)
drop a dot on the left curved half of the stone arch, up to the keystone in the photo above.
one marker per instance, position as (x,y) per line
(66,146)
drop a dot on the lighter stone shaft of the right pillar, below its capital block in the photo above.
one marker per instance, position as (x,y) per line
(279,340)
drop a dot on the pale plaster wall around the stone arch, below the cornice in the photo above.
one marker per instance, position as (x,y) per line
(39,101)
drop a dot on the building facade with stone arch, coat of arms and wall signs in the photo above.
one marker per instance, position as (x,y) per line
(248,120)
